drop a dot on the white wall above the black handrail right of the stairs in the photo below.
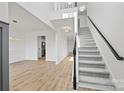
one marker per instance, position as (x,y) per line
(110,19)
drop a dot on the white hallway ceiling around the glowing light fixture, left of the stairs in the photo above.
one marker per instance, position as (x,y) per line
(60,23)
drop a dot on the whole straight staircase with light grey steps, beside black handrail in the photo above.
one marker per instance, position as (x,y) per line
(92,69)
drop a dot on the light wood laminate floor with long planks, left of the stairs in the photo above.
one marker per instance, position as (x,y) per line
(41,76)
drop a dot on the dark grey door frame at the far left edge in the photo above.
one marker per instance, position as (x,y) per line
(4,75)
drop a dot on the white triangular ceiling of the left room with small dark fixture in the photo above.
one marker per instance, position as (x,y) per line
(26,21)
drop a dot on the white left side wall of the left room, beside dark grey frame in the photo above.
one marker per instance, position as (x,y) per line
(16,46)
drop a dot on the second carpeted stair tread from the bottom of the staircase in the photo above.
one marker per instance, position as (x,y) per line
(96,80)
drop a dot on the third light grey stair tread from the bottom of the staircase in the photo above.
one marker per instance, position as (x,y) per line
(96,70)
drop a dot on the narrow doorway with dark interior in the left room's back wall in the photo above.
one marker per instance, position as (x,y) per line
(41,47)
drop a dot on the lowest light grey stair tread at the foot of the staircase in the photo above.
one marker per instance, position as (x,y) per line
(95,86)
